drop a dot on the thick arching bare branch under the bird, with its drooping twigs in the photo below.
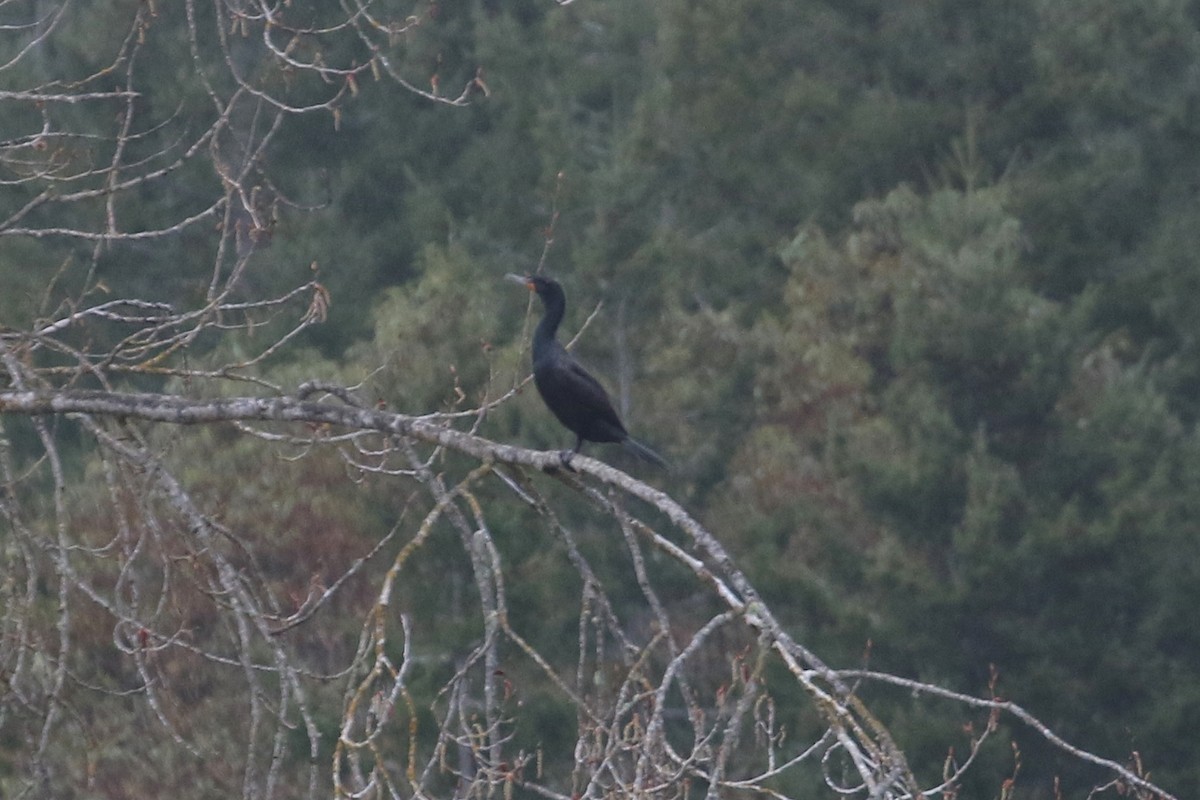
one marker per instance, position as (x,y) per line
(608,754)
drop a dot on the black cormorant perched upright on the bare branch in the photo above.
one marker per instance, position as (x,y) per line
(575,398)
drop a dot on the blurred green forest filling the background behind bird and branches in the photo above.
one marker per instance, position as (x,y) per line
(903,290)
